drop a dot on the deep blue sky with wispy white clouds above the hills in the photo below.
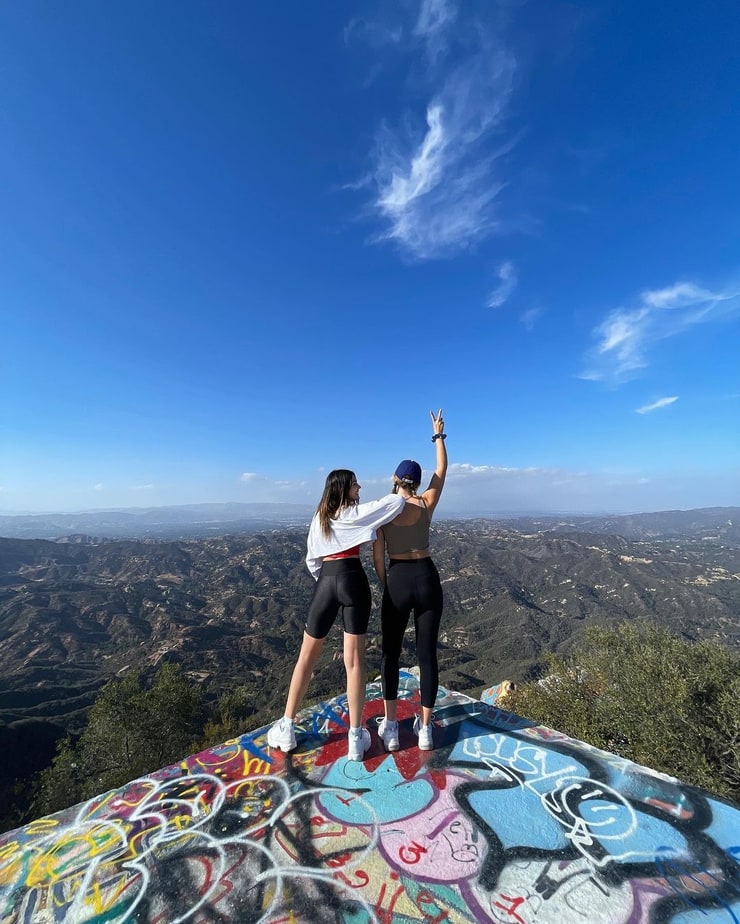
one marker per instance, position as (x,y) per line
(243,244)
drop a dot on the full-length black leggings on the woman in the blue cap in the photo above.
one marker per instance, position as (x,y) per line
(411,585)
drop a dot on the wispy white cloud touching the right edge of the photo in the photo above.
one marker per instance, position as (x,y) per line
(626,336)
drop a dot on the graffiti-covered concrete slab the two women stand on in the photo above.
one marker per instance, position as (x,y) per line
(502,822)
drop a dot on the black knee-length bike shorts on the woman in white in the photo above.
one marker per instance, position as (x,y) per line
(342,589)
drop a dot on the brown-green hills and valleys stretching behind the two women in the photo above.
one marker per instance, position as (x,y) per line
(229,608)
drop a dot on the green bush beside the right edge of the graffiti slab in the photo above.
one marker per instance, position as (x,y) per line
(642,693)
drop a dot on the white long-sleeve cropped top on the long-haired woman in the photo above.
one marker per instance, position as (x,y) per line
(353,526)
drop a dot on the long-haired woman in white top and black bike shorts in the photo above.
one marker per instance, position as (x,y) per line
(339,527)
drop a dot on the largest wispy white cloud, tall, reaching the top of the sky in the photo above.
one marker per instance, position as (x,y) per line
(435,184)
